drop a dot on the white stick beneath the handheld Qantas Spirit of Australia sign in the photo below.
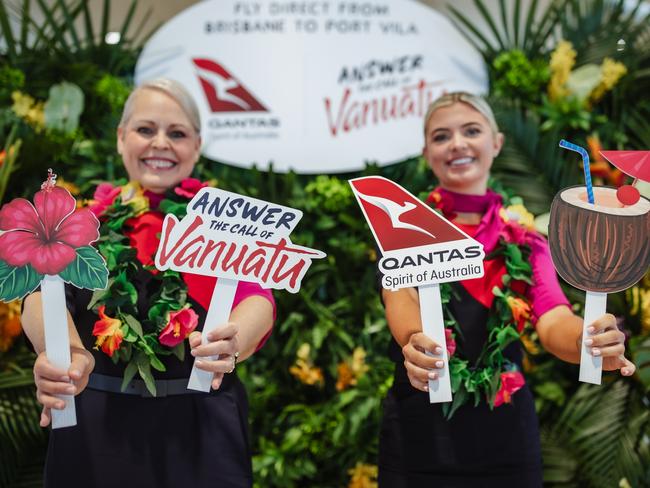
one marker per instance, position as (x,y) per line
(433,326)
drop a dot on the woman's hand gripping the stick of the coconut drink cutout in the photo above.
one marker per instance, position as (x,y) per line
(606,340)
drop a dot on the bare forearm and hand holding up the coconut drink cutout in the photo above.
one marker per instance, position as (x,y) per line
(560,332)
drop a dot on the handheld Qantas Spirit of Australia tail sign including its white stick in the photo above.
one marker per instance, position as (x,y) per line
(419,248)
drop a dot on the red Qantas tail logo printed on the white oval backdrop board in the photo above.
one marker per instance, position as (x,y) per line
(223,91)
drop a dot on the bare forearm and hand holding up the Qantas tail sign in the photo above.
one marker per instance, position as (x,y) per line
(403,316)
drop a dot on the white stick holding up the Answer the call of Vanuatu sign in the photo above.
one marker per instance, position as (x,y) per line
(218,315)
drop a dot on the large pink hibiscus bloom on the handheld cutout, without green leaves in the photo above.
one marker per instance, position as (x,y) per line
(45,235)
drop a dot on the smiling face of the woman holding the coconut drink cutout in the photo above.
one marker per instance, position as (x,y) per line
(460,146)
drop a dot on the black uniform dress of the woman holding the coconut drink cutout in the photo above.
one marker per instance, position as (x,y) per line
(477,447)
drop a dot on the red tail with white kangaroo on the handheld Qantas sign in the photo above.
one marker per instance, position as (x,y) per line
(398,219)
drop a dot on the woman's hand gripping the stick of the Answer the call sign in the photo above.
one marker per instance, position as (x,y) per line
(223,345)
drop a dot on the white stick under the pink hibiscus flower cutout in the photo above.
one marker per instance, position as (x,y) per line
(57,342)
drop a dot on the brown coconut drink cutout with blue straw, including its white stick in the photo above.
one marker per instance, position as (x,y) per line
(599,241)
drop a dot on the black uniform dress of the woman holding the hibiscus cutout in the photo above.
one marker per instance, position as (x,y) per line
(121,441)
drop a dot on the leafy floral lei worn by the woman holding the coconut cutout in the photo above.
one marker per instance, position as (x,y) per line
(493,377)
